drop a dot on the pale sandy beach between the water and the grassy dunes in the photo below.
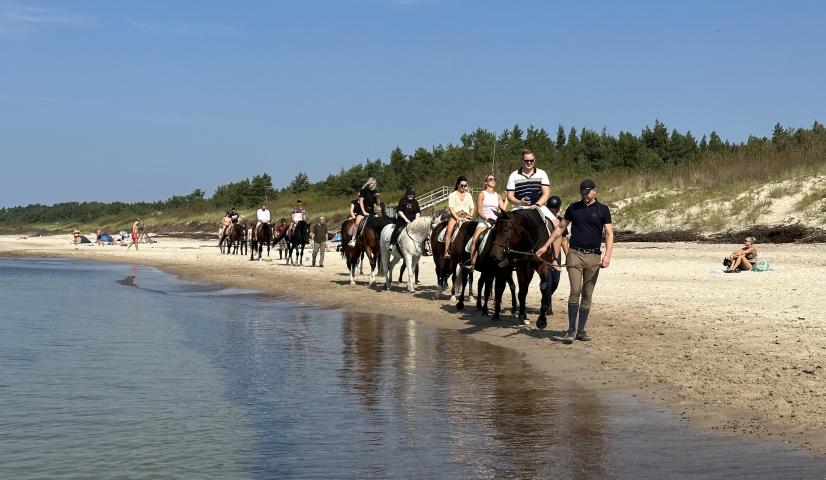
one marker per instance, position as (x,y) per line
(739,353)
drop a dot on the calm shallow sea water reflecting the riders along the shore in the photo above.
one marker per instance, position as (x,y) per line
(119,371)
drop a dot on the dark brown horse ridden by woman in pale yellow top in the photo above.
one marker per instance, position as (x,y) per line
(446,267)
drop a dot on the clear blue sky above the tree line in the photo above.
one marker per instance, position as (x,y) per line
(103,100)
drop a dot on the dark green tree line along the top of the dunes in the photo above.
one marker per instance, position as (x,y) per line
(582,150)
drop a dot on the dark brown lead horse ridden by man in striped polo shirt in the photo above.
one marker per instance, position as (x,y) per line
(516,238)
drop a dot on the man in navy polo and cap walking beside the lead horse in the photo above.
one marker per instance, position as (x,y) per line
(588,219)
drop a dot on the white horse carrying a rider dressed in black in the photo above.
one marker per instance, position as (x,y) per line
(410,248)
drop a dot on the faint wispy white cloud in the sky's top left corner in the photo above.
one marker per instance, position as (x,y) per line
(21,20)
